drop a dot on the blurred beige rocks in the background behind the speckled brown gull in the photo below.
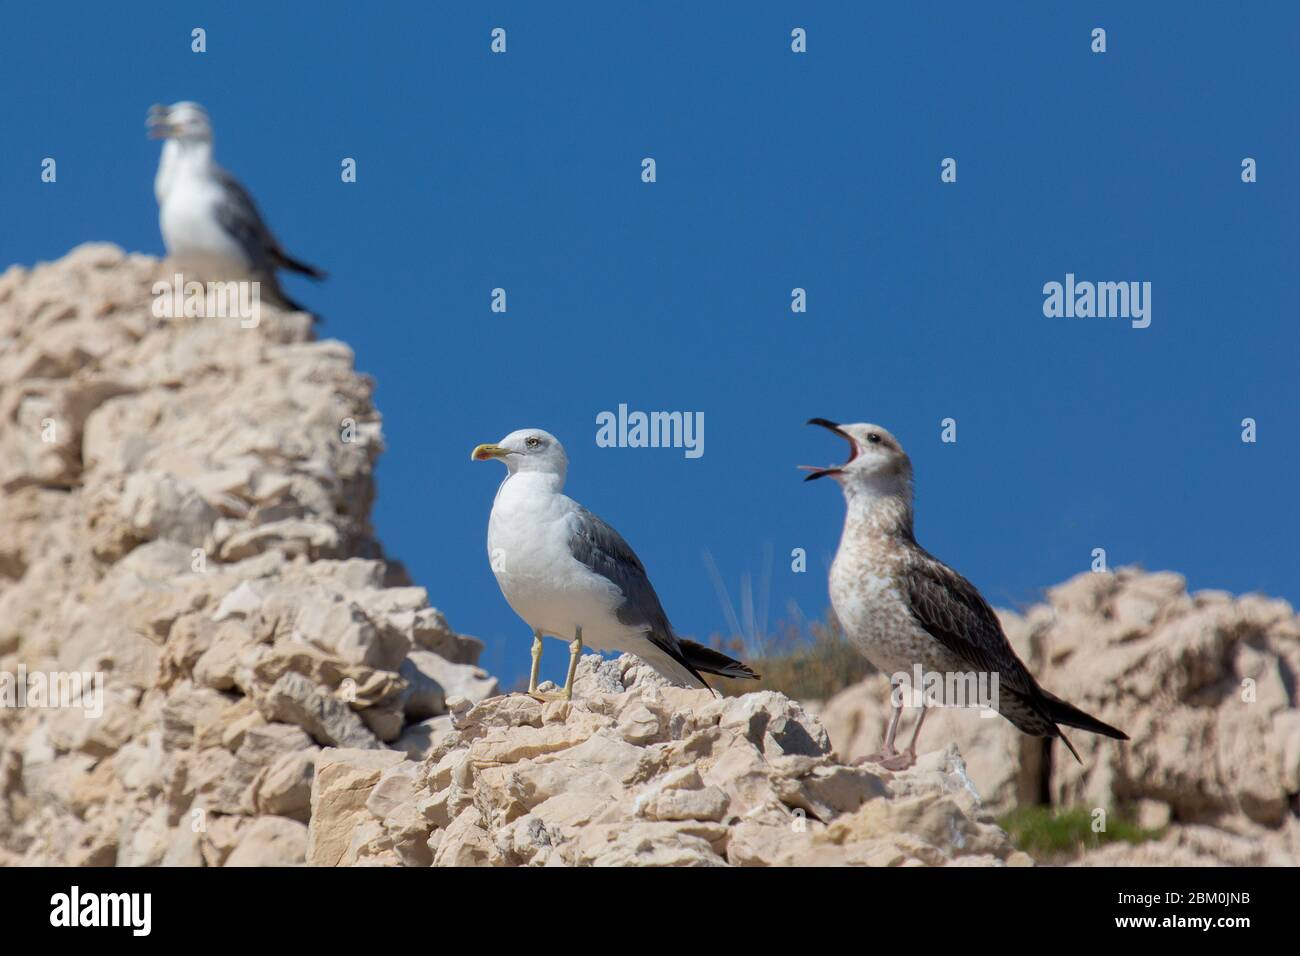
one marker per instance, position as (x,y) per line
(1206,686)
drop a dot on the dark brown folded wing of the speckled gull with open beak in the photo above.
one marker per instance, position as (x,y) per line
(954,612)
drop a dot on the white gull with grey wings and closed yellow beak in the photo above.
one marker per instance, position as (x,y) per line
(570,576)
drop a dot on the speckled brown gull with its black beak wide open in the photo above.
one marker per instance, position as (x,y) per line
(902,607)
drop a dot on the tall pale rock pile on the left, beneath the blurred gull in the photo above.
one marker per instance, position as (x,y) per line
(185,513)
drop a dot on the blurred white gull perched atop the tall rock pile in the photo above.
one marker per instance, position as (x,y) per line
(210,223)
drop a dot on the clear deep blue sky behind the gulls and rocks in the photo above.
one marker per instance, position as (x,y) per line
(820,171)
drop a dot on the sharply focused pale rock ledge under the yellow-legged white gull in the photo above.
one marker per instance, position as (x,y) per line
(638,773)
